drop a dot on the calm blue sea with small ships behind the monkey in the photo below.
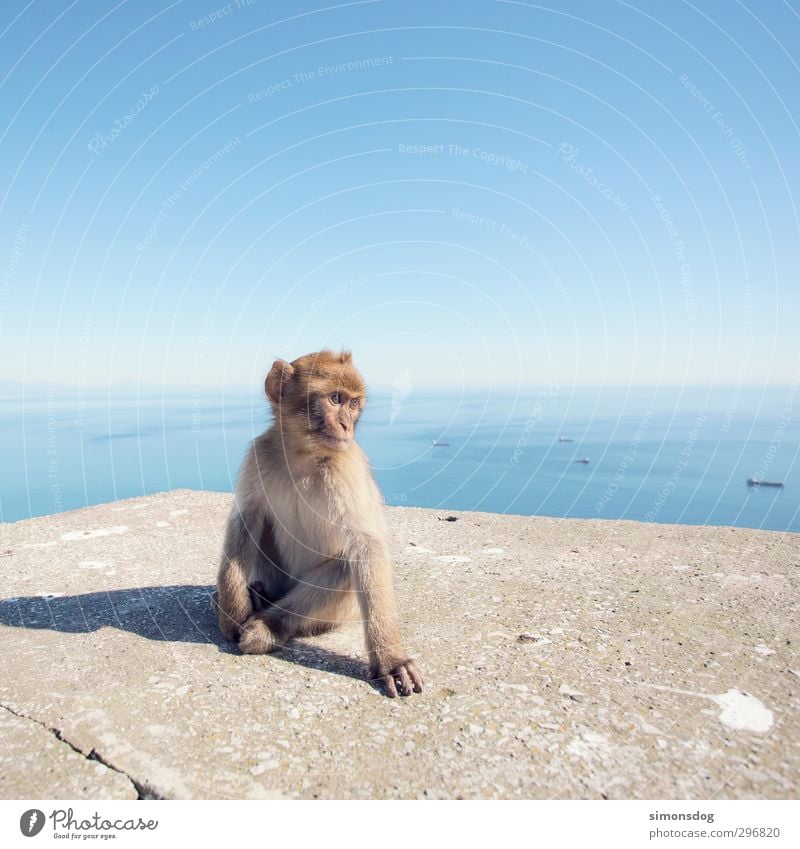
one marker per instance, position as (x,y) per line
(669,455)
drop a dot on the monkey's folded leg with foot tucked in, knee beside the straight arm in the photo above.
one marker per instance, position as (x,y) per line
(317,603)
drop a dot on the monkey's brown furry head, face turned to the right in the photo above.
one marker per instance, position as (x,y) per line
(317,400)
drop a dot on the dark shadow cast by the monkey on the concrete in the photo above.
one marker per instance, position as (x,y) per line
(179,613)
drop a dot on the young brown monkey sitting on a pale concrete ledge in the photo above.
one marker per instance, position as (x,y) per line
(307,535)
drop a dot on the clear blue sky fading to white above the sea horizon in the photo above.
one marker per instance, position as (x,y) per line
(466,194)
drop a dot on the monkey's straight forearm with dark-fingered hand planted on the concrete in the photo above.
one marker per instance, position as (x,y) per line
(371,568)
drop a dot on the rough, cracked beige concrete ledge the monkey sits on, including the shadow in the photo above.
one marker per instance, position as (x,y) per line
(562,658)
